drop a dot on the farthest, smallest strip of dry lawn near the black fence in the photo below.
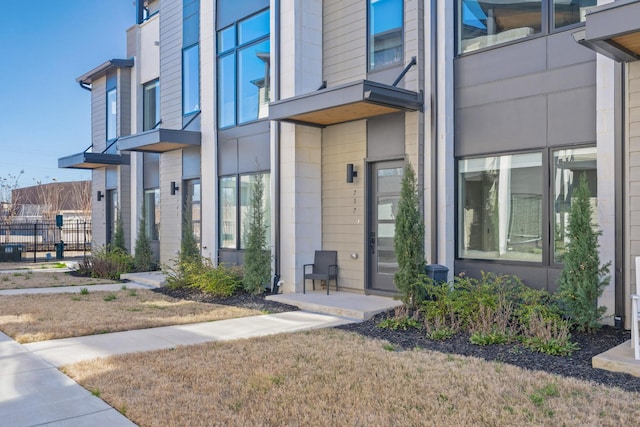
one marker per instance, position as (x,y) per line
(34,279)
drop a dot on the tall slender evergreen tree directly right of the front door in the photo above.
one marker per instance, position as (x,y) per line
(408,240)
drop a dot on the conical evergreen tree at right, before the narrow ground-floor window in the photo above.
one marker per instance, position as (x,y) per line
(583,277)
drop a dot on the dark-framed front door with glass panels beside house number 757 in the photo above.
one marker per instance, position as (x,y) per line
(386,180)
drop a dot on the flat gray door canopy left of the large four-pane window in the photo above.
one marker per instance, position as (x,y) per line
(160,140)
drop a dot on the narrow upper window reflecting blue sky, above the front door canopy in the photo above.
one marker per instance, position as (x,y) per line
(385,33)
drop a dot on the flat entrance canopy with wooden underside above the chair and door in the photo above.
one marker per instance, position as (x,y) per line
(345,103)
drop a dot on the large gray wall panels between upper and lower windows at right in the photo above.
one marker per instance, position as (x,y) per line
(533,94)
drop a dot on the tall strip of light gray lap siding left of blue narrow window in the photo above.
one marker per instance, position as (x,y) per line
(171,65)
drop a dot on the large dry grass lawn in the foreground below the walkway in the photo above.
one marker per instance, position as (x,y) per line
(335,378)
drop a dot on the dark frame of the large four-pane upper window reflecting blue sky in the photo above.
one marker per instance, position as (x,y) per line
(233,52)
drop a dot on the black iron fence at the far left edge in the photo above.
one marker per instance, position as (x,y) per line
(42,237)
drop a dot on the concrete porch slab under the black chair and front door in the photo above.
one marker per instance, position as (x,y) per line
(343,304)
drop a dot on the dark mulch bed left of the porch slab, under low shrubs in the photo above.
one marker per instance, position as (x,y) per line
(255,302)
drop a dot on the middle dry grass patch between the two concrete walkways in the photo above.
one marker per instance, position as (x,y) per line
(38,317)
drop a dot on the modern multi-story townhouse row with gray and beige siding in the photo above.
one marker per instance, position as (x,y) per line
(498,105)
